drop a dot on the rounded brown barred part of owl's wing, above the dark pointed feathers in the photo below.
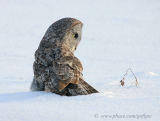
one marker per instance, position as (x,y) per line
(68,70)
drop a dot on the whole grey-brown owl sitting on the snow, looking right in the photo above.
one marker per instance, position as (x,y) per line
(56,69)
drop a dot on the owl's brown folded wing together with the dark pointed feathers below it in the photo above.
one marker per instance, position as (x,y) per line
(71,82)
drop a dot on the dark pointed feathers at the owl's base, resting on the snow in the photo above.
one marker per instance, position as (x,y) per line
(83,88)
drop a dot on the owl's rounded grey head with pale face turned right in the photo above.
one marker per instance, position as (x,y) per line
(65,32)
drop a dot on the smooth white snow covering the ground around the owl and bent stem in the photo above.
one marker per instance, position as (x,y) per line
(117,35)
